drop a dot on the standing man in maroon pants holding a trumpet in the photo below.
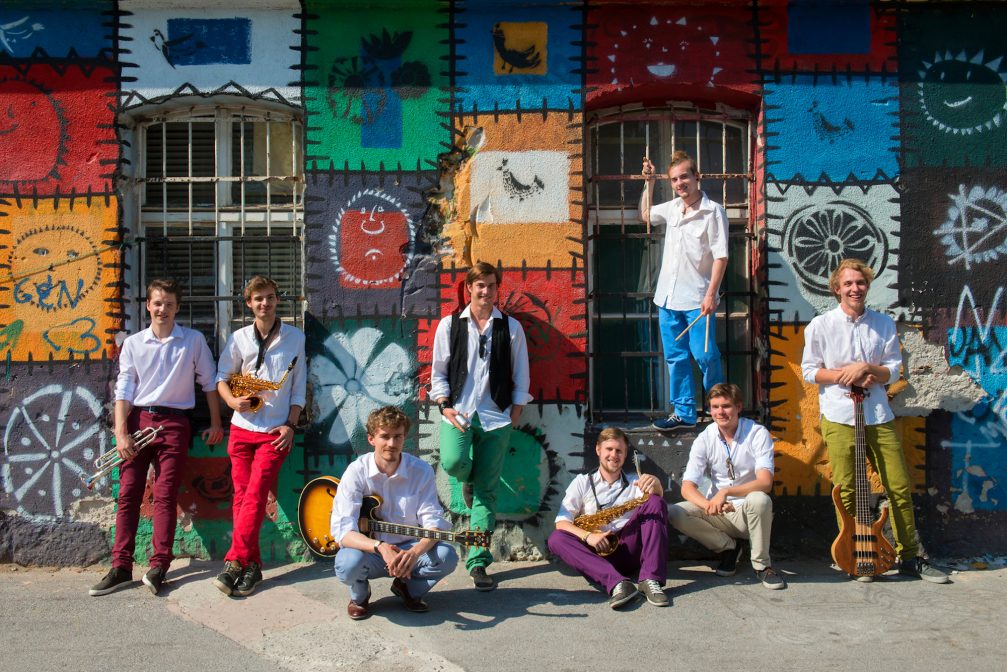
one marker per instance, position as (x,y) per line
(155,389)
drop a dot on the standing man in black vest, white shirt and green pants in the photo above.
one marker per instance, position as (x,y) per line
(480,379)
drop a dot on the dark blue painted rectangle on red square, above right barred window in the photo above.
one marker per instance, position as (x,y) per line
(838,29)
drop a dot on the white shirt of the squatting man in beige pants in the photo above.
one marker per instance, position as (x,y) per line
(752,450)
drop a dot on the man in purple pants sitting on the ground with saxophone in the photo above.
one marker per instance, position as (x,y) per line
(623,529)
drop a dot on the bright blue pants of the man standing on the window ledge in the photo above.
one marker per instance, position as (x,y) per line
(672,324)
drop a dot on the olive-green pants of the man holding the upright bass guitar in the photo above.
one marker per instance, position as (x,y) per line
(885,452)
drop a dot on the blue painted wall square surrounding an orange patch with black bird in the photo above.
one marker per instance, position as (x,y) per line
(481,88)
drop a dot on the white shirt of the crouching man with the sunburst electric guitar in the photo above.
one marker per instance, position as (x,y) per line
(409,497)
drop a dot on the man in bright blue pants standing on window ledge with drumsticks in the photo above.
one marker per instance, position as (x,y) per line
(692,267)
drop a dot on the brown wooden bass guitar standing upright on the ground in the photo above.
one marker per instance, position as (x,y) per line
(861,550)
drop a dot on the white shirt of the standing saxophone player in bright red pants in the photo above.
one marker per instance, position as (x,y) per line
(240,356)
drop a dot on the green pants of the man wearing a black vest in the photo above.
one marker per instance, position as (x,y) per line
(477,457)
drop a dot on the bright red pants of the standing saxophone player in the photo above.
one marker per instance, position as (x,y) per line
(255,466)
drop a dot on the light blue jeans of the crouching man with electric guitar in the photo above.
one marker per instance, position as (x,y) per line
(356,569)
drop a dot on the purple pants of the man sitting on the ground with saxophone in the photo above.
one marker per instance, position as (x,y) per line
(643,550)
